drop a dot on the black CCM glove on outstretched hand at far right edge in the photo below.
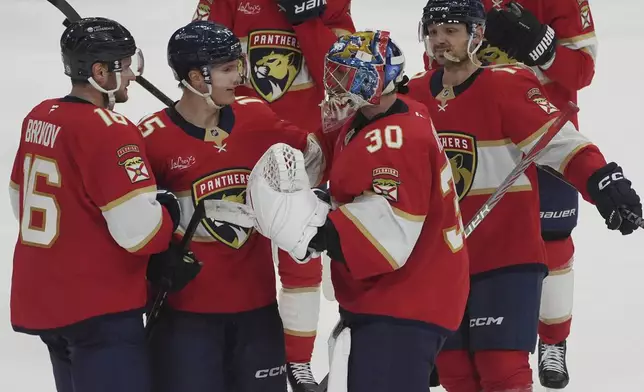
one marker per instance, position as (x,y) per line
(610,191)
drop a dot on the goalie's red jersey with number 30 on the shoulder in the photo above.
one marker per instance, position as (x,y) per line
(399,222)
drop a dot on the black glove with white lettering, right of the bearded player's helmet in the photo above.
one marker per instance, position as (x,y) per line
(518,32)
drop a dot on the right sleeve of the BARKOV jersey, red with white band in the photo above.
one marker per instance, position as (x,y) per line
(117,177)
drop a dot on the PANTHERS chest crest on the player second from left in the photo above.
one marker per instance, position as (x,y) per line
(224,185)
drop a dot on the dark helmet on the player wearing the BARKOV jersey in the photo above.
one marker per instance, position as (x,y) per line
(95,40)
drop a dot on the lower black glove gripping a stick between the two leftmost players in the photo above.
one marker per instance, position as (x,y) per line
(172,269)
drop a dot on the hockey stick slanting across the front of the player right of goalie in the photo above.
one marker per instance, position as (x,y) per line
(528,159)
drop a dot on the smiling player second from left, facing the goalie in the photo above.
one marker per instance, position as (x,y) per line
(223,331)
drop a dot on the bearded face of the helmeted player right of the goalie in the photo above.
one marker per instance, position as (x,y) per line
(448,41)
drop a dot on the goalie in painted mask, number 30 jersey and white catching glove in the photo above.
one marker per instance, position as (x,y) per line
(399,262)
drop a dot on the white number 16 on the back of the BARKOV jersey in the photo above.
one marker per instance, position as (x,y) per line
(41,232)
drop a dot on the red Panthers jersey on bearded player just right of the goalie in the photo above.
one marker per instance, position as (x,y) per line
(485,125)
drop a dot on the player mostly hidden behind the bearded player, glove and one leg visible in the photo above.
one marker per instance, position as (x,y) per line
(557,40)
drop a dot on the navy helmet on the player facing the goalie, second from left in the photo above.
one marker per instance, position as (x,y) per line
(200,45)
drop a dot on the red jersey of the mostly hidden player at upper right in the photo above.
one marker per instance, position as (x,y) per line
(574,64)
